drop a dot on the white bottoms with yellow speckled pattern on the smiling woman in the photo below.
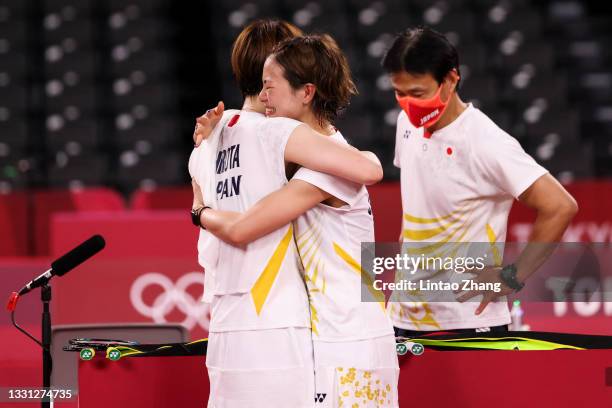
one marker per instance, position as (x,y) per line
(364,372)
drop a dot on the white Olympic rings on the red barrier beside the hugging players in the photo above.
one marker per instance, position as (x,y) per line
(173,295)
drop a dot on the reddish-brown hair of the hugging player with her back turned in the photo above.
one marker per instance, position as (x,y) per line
(252,47)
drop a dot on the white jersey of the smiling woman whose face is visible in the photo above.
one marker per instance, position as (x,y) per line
(329,241)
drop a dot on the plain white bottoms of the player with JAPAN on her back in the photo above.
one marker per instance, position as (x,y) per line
(261,368)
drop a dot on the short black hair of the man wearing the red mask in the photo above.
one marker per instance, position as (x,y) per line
(421,50)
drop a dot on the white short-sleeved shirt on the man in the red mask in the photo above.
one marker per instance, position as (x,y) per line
(458,185)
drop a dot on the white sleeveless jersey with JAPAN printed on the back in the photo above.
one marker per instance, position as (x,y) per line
(259,286)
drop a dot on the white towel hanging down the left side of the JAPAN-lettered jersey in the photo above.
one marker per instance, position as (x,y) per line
(202,169)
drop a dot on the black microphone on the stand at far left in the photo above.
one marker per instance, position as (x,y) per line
(67,262)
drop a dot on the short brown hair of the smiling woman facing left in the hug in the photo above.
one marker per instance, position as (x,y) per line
(318,60)
